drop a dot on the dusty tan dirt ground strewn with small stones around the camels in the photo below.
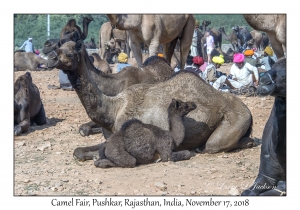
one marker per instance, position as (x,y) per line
(44,164)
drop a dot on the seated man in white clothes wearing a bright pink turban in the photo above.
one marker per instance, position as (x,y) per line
(243,74)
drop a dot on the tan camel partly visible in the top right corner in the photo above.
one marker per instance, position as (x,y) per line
(275,27)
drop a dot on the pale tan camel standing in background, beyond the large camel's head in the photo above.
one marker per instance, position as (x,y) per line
(106,33)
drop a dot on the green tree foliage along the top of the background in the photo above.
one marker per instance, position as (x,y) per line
(35,25)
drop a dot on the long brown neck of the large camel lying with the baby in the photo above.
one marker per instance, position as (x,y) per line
(99,107)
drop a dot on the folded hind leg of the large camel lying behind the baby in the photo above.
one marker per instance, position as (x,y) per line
(227,135)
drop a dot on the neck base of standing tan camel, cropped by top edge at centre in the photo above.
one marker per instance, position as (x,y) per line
(125,22)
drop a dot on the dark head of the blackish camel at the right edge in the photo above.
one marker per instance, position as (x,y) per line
(273,82)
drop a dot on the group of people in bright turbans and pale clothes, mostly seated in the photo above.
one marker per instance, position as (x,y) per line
(247,65)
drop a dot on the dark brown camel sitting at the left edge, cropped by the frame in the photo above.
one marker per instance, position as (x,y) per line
(28,106)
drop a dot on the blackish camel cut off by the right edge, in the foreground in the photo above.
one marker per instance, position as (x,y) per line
(271,178)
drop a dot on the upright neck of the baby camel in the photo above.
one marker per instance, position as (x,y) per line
(176,128)
